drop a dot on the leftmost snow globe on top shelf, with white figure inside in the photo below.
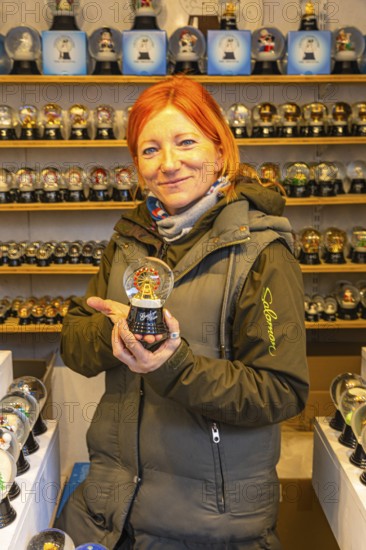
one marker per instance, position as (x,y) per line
(23,46)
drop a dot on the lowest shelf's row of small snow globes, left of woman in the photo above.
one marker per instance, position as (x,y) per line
(34,311)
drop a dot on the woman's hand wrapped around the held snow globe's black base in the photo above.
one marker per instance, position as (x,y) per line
(128,348)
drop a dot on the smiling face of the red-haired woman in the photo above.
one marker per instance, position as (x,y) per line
(176,160)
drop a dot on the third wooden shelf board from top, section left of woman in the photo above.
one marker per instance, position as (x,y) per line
(79,206)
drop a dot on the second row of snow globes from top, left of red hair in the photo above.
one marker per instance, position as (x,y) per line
(52,123)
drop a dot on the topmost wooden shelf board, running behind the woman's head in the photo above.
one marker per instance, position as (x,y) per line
(203,79)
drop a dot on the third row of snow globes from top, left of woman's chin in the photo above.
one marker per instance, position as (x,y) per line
(74,184)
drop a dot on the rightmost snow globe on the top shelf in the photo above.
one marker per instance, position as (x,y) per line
(348,47)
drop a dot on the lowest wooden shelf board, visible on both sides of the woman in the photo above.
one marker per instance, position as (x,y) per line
(11,326)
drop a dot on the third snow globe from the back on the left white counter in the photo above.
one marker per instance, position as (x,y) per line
(17,422)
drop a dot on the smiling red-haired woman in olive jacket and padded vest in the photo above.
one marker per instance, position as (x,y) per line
(184,443)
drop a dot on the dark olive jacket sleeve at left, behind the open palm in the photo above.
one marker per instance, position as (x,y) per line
(86,334)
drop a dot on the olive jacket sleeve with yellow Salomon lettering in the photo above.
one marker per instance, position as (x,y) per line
(267,380)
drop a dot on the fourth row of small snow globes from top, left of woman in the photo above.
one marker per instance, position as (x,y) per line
(43,254)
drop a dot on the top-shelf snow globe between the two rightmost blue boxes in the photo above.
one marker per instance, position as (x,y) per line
(268,47)
